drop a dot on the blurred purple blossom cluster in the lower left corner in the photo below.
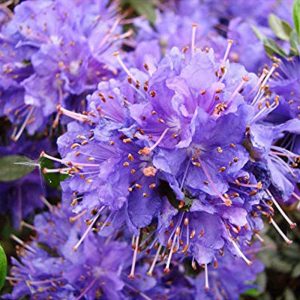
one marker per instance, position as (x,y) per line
(50,267)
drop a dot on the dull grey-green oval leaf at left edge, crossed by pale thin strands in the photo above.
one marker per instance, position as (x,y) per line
(13,167)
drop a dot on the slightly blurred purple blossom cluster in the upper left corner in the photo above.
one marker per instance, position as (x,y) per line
(54,52)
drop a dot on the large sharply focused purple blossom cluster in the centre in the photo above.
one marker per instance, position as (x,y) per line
(183,150)
